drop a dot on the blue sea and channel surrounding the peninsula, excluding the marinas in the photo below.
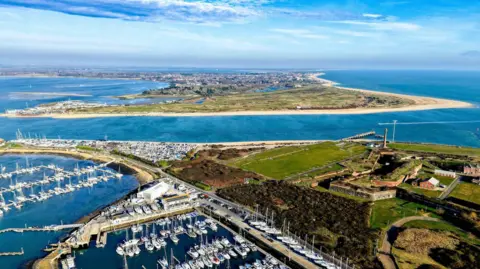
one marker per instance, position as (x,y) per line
(452,126)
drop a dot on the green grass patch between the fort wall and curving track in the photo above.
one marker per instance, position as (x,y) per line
(386,212)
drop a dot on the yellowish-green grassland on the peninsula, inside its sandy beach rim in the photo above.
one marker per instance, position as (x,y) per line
(314,97)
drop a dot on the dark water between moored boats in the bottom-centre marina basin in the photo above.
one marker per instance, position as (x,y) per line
(107,258)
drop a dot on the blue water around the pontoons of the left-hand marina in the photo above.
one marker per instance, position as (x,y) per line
(67,207)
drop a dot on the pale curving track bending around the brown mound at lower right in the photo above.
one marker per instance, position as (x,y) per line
(385,252)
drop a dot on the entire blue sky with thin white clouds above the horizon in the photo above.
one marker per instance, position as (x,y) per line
(322,34)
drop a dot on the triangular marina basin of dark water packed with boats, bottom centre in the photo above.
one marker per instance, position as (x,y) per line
(153,247)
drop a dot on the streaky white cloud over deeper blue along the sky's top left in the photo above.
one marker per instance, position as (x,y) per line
(196,11)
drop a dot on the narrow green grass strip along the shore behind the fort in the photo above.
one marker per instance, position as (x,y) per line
(437,149)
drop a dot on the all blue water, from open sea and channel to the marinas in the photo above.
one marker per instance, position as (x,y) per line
(446,126)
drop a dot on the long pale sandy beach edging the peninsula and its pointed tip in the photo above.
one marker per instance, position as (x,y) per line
(420,103)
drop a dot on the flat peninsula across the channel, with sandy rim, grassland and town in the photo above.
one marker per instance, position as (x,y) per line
(289,93)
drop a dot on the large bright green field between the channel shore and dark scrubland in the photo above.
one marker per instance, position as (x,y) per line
(284,162)
